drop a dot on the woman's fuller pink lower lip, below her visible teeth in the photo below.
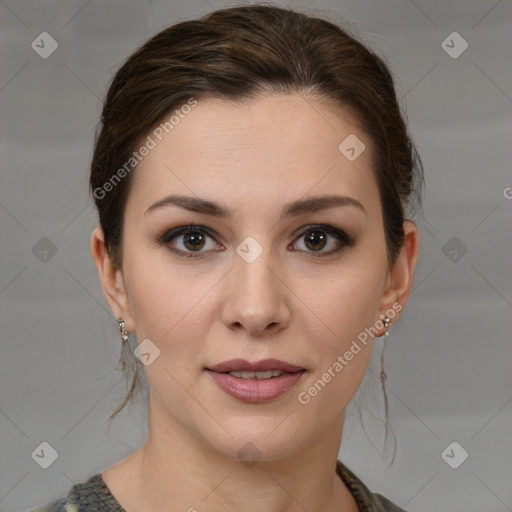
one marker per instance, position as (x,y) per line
(255,391)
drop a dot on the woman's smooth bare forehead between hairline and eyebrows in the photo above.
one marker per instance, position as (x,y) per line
(279,146)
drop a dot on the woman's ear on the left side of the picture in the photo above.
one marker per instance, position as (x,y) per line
(111,278)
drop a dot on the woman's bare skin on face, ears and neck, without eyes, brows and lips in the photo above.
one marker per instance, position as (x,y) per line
(287,304)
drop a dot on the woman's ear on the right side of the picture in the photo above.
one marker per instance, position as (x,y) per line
(401,274)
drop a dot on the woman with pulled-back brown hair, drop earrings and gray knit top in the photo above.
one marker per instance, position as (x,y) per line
(251,172)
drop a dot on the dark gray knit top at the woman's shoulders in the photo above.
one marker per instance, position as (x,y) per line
(95,496)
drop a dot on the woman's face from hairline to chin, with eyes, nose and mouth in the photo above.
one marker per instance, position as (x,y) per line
(265,280)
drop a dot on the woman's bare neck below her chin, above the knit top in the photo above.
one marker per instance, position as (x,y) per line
(176,471)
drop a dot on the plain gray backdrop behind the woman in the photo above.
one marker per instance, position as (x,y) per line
(448,359)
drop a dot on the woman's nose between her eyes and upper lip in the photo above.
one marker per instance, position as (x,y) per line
(256,297)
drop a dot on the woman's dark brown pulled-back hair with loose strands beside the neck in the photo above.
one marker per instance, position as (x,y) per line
(239,54)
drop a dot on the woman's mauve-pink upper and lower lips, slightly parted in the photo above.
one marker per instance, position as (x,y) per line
(255,391)
